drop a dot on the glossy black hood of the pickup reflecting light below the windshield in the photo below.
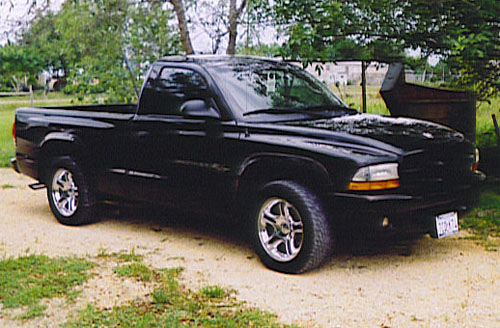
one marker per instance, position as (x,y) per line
(404,133)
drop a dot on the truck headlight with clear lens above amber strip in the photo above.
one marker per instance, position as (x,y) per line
(376,177)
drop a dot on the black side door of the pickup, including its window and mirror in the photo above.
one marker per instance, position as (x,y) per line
(176,141)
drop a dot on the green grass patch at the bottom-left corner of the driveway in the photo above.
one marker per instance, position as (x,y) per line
(26,280)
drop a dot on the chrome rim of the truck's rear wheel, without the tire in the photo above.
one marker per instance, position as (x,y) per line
(64,192)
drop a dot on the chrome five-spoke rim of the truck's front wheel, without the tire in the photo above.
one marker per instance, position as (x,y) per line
(280,229)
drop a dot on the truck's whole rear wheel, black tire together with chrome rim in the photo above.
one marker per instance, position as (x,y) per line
(81,210)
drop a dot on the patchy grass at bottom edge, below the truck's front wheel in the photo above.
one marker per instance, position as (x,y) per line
(172,305)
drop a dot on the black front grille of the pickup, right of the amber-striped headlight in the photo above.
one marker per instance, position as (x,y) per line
(439,170)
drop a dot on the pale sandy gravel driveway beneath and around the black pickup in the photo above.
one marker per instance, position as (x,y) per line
(420,283)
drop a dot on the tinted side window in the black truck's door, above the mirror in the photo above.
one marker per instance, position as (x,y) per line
(165,93)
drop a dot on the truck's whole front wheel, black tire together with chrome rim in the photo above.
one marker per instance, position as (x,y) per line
(295,252)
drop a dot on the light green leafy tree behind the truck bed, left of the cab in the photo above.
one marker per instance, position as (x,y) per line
(103,46)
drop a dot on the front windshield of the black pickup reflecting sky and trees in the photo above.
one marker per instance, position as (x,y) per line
(266,87)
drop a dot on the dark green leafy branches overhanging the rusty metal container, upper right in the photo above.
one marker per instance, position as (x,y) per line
(465,32)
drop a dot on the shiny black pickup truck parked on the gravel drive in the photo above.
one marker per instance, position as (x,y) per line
(257,140)
